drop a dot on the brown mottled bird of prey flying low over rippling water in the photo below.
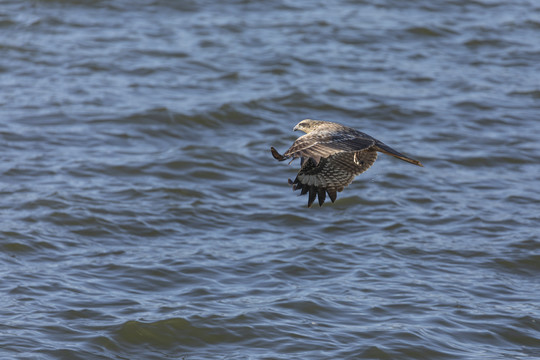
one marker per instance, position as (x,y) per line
(331,156)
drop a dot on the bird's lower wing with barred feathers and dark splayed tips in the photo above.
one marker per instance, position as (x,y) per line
(331,174)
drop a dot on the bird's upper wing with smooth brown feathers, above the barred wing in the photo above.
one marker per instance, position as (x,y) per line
(317,145)
